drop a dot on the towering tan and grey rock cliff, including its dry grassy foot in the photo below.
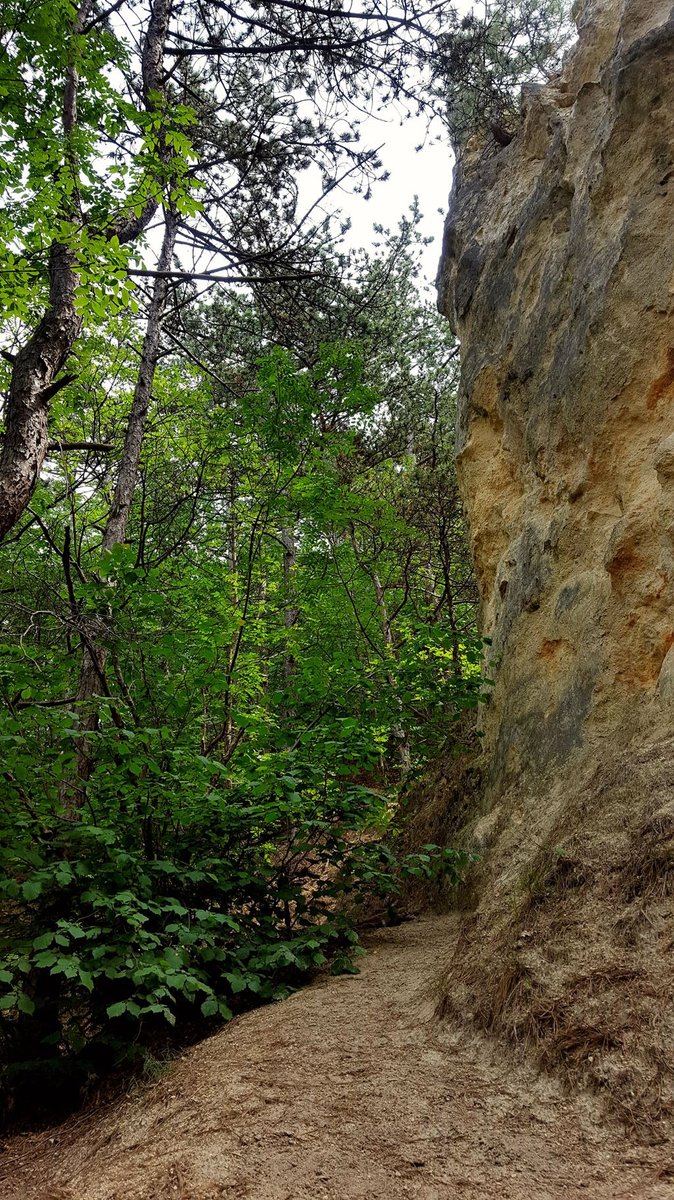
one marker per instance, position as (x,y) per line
(558,277)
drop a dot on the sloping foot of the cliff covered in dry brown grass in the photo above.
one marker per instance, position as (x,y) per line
(570,952)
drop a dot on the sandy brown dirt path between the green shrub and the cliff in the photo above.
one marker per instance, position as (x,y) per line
(347,1091)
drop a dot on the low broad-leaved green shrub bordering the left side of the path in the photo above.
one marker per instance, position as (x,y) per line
(180,895)
